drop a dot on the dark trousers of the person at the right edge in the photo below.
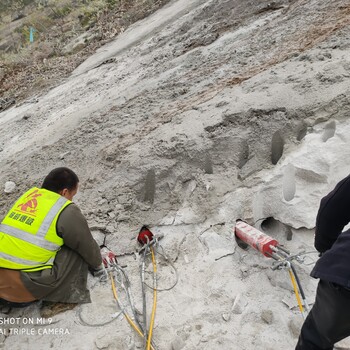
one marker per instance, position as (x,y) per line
(329,319)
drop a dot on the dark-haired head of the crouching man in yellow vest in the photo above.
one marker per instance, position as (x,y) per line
(63,181)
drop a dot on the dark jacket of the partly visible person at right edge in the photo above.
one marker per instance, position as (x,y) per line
(333,215)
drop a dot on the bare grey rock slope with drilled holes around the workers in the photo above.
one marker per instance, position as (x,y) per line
(200,114)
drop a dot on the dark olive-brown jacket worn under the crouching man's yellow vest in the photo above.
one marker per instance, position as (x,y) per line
(66,281)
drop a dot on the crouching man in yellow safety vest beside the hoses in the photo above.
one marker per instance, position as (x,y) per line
(46,247)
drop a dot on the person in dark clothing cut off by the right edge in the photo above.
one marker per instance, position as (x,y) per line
(329,319)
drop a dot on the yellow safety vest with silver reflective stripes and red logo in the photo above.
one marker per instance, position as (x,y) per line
(28,237)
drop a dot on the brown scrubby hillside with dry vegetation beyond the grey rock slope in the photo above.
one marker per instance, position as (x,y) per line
(65,34)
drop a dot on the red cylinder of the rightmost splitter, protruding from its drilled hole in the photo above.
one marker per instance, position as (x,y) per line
(255,238)
